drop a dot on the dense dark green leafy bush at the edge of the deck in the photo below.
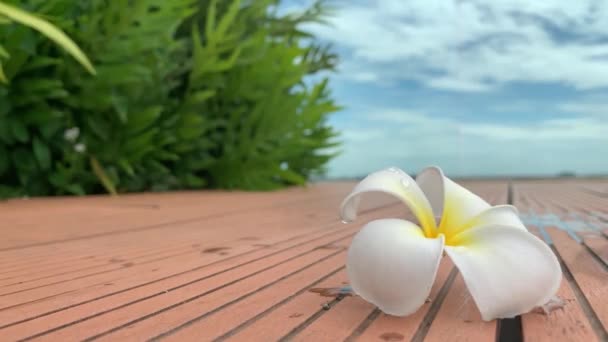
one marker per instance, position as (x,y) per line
(187,94)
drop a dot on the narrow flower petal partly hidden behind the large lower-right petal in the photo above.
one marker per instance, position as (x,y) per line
(500,215)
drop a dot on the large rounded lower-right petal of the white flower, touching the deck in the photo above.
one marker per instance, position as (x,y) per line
(507,271)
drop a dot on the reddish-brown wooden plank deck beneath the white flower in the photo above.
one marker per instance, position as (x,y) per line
(240,267)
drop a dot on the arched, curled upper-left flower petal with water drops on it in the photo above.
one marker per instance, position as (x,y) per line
(399,184)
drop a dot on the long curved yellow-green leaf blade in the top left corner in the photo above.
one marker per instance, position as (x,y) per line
(48,30)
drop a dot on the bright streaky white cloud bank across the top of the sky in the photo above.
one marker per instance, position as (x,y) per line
(473,45)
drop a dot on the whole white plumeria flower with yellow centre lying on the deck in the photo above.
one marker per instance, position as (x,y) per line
(392,263)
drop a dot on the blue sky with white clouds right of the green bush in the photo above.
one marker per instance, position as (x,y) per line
(476,87)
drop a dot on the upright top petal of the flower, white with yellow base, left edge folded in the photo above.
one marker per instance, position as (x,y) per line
(456,204)
